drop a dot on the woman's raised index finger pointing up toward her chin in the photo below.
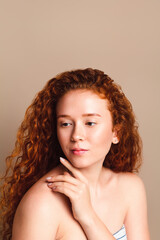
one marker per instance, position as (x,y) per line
(73,170)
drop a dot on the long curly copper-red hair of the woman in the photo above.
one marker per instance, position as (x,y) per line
(37,149)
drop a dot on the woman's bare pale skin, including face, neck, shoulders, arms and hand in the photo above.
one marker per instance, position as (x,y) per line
(83,200)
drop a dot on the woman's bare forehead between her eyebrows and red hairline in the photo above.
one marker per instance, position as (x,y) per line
(81,100)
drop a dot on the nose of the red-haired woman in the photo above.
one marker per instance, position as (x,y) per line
(78,133)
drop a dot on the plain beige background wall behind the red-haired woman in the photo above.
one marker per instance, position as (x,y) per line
(42,38)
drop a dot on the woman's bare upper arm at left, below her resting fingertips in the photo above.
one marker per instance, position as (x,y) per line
(33,219)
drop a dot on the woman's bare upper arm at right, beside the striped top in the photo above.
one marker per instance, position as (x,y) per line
(136,219)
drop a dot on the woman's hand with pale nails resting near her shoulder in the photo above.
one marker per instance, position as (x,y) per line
(76,188)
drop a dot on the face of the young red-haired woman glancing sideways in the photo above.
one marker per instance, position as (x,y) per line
(84,127)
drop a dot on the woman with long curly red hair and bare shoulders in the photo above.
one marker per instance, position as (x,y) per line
(75,157)
